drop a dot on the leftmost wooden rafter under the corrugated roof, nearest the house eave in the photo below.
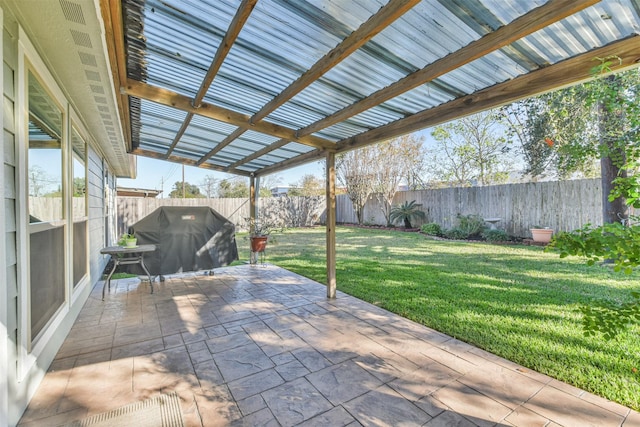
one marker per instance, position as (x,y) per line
(226,44)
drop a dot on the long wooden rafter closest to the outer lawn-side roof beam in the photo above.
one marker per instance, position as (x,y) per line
(529,23)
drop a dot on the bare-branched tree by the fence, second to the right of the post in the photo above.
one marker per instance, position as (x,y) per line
(394,161)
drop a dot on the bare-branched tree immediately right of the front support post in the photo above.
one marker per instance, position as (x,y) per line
(355,171)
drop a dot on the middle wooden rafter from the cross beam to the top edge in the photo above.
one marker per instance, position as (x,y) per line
(369,29)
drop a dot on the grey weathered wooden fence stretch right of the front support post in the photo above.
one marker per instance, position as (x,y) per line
(561,205)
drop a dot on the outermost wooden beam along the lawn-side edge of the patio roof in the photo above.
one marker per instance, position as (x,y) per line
(565,73)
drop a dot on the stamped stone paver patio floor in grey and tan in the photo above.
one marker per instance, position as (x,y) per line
(257,345)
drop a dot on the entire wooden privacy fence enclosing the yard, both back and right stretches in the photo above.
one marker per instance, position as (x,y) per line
(561,205)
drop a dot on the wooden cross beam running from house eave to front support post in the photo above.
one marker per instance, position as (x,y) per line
(181,102)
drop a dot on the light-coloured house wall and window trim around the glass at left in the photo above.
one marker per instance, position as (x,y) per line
(23,364)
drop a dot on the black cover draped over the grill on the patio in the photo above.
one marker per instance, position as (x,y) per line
(187,239)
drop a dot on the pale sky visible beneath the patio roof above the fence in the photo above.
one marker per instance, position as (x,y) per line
(156,174)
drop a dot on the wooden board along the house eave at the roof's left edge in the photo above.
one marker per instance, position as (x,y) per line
(111,11)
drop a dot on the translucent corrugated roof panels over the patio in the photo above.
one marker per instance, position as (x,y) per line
(171,44)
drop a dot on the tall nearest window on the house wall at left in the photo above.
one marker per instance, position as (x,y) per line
(46,210)
